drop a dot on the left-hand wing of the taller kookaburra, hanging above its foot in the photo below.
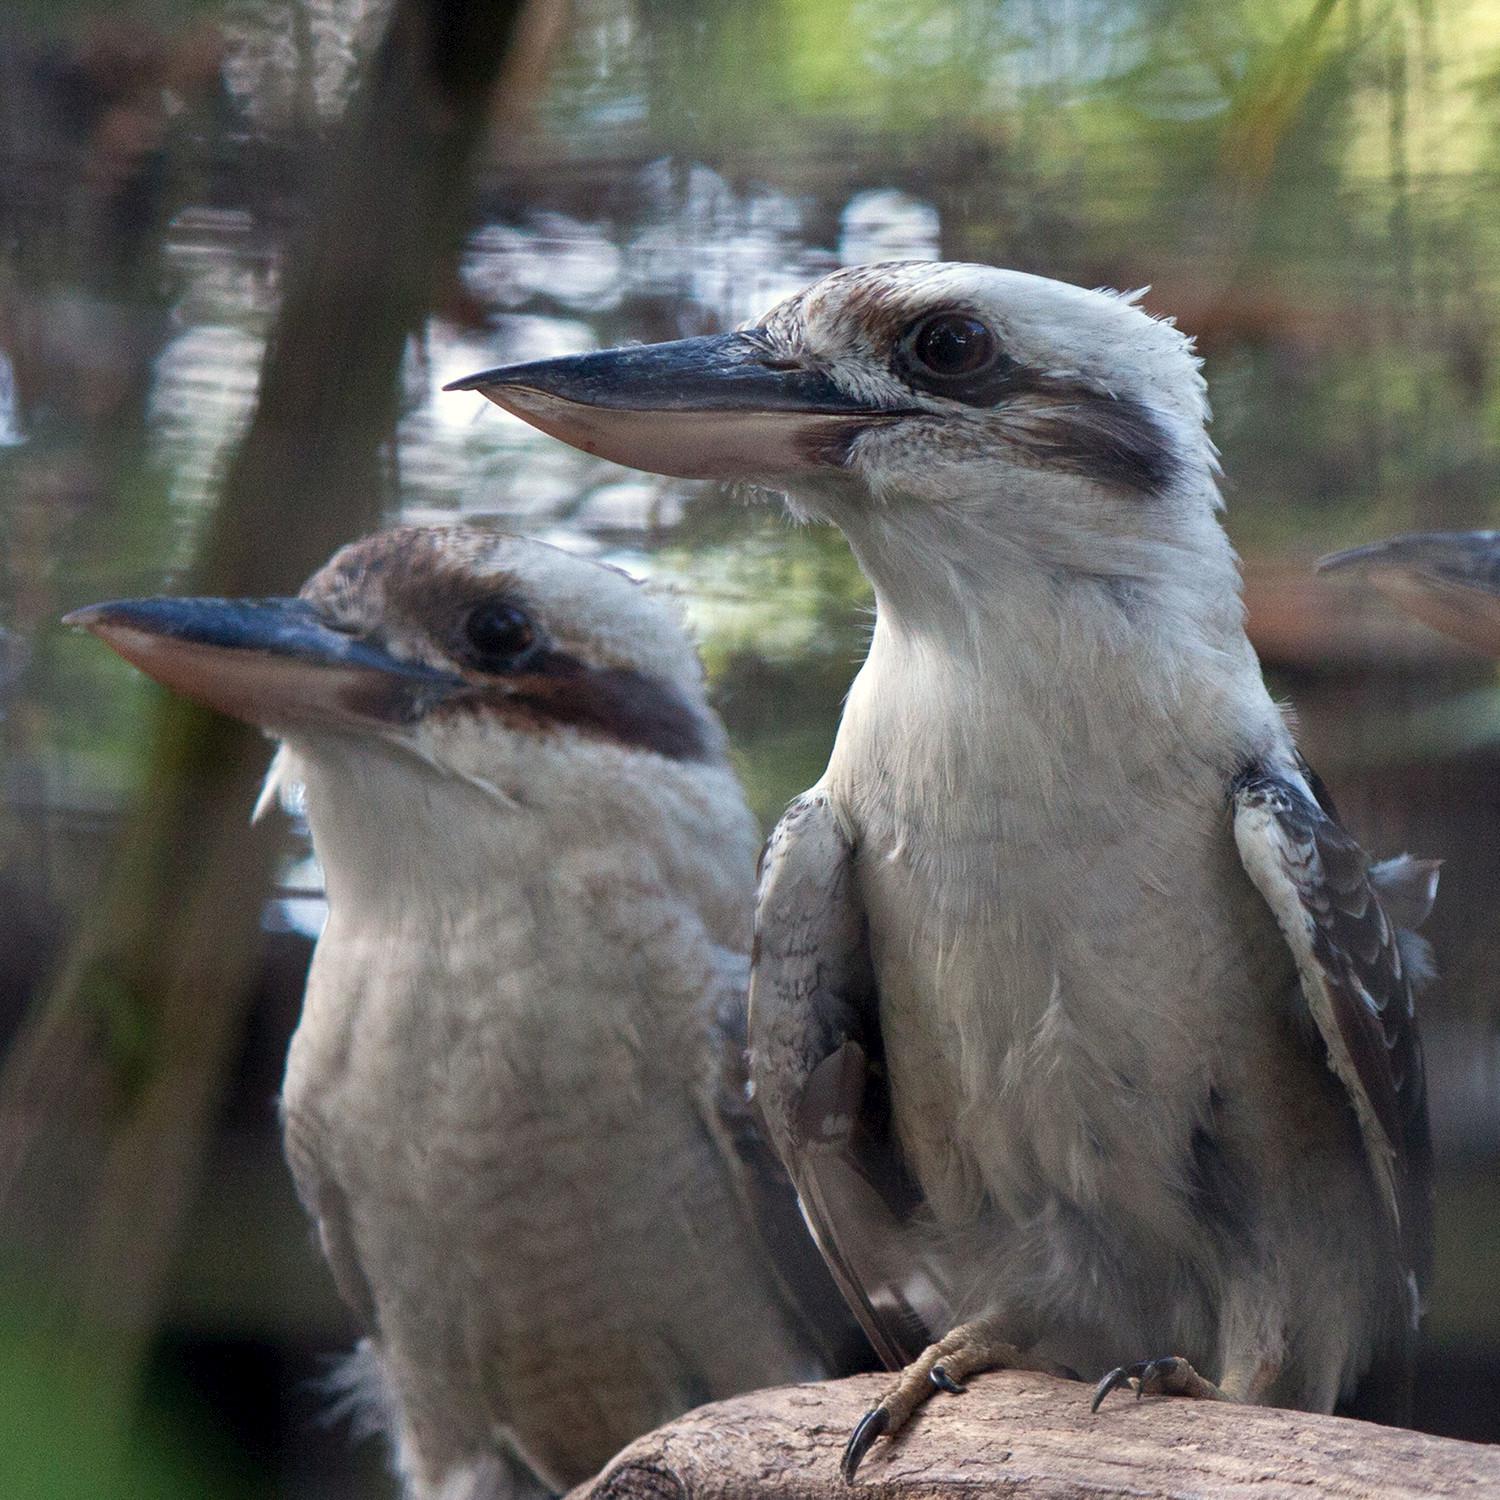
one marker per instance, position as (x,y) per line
(820,1084)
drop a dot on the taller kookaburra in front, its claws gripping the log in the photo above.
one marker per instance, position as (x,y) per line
(1085,1030)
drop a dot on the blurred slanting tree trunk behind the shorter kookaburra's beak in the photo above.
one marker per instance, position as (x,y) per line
(109,1093)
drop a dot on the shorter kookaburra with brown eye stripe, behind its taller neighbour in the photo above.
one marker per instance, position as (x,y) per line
(515,1103)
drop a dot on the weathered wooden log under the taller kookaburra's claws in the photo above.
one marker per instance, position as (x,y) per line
(1034,1436)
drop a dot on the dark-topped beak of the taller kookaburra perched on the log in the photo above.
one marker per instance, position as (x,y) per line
(721,407)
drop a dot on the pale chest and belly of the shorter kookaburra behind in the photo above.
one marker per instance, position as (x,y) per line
(500,1109)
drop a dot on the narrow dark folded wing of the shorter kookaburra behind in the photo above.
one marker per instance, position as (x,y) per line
(806,1285)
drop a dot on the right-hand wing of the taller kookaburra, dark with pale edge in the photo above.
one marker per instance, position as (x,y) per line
(1360,977)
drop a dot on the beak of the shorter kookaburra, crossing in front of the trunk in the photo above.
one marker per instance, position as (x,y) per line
(271,662)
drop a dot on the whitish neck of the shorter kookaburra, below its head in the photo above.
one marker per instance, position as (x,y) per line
(412,845)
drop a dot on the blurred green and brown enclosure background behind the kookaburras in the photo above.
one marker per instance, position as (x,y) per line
(242,247)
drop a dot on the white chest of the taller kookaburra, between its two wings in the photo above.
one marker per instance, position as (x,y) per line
(1060,932)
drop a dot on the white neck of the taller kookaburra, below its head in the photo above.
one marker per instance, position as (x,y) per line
(1052,686)
